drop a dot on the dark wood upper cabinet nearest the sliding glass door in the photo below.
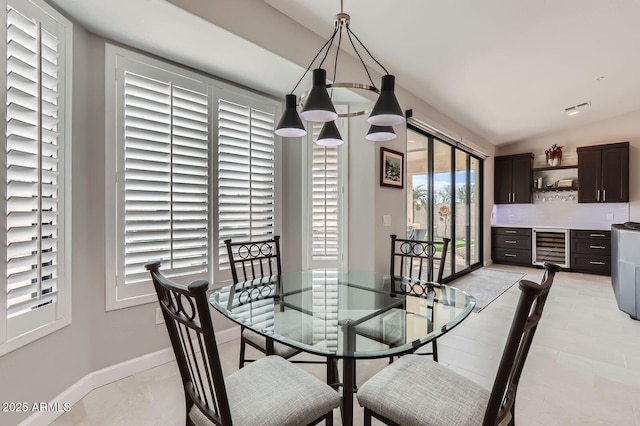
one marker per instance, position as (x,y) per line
(513,179)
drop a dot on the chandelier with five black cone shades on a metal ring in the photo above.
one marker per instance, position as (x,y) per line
(318,106)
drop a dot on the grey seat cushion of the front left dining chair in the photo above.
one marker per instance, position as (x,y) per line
(273,392)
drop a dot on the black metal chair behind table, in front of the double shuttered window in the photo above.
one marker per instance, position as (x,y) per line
(260,260)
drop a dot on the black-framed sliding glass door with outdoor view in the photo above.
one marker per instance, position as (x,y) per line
(444,199)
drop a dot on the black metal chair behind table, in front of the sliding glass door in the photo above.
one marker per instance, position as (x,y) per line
(419,260)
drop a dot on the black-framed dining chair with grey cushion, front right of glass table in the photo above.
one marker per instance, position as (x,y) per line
(417,391)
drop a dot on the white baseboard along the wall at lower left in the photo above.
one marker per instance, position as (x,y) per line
(107,375)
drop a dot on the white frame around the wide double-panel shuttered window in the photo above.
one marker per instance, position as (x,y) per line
(216,90)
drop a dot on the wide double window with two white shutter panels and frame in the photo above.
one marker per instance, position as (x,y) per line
(167,198)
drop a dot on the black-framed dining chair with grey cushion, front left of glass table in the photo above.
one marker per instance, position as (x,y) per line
(270,391)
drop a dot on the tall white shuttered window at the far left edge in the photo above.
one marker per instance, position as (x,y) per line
(34,170)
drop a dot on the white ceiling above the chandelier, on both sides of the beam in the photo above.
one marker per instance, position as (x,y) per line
(506,70)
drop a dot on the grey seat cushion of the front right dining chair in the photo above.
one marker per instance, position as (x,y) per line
(418,391)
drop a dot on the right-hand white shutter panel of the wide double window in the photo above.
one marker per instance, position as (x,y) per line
(246,173)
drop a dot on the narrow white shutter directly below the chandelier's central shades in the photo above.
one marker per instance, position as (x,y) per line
(326,191)
